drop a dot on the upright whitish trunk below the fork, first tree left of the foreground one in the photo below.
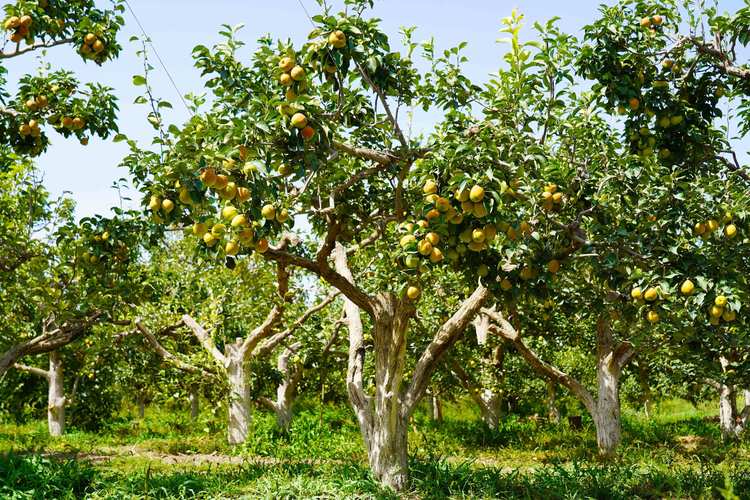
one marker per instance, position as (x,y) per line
(240,416)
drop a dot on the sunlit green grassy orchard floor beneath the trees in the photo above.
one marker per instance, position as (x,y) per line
(676,454)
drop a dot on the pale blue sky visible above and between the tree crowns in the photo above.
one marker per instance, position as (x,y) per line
(176,26)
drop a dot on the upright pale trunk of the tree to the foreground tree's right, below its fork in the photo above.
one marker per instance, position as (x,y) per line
(607,413)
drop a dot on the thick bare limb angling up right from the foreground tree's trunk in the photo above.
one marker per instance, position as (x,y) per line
(445,337)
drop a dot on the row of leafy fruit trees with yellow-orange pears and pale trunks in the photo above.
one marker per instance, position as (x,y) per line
(587,199)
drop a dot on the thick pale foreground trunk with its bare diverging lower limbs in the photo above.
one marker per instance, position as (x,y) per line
(383,417)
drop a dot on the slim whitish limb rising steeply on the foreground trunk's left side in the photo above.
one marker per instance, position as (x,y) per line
(356,364)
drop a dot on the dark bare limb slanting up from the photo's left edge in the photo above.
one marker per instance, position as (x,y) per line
(48,341)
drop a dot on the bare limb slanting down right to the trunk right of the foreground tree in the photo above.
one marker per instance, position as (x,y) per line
(503,328)
